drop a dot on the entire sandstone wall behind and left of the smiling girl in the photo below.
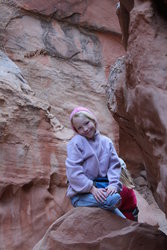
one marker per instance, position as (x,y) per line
(60,54)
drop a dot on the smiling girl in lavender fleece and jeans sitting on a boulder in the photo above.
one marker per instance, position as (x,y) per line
(91,155)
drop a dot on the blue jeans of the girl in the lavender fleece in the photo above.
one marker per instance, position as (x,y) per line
(88,200)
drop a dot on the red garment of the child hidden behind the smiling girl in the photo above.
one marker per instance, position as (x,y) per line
(129,202)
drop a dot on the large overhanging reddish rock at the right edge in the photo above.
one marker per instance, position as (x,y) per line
(139,99)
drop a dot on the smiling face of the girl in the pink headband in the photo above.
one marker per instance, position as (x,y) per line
(84,126)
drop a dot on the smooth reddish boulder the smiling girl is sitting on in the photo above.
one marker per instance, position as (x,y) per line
(94,228)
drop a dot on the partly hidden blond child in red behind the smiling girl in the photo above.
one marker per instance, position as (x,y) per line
(129,202)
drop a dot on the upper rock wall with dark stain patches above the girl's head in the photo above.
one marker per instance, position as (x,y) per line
(65,51)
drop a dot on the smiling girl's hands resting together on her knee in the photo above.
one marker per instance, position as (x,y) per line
(101,194)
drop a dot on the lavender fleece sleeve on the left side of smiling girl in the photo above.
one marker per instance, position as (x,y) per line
(78,181)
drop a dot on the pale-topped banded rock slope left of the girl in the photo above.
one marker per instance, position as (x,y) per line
(29,162)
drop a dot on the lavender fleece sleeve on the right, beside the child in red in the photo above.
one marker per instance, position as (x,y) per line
(114,171)
